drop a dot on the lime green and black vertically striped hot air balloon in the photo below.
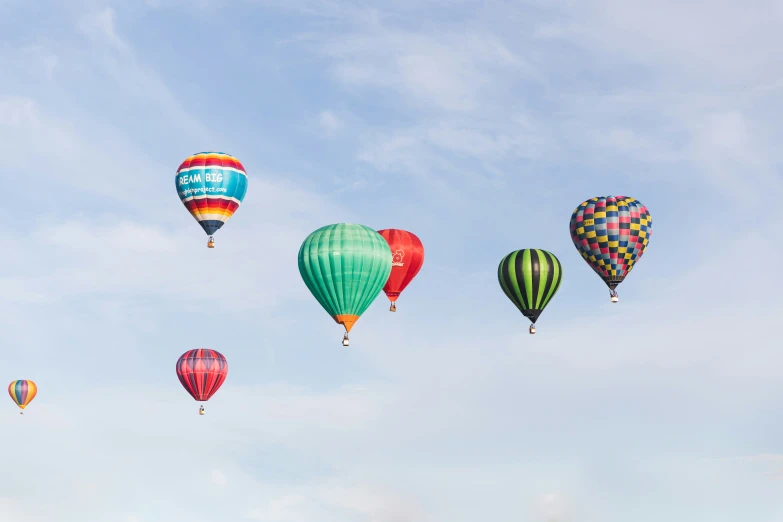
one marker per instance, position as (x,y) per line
(530,278)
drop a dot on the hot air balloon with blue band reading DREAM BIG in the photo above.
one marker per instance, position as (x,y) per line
(211,185)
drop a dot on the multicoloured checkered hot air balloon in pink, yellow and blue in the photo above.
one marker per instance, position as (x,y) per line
(611,233)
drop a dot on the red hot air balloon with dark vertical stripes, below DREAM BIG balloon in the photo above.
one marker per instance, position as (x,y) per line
(202,371)
